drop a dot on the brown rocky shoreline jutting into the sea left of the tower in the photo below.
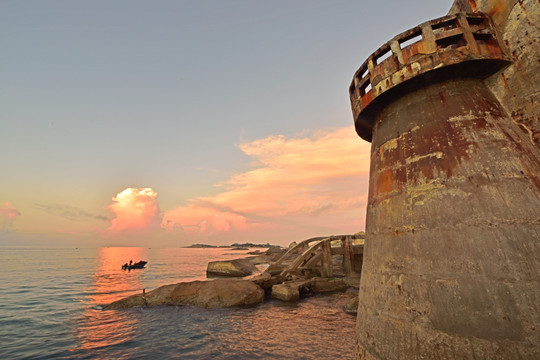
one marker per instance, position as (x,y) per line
(241,282)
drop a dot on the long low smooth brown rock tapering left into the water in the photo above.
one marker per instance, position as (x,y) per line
(206,294)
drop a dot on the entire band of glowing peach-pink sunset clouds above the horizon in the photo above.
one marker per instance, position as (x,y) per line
(297,187)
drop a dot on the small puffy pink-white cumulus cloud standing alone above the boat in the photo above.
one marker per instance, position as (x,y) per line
(135,208)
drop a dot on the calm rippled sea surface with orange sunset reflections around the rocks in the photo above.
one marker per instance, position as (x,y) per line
(50,309)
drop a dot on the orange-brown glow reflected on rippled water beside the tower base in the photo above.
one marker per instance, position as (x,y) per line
(279,330)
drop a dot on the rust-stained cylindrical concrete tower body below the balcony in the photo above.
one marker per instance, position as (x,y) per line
(452,256)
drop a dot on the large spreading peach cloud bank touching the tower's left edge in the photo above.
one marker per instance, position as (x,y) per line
(316,182)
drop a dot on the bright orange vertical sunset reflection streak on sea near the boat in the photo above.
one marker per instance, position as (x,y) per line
(101,331)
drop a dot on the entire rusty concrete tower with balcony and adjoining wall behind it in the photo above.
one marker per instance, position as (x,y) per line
(452,256)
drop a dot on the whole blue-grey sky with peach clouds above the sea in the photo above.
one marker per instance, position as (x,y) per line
(167,123)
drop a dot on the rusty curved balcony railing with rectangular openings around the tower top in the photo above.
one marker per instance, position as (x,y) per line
(421,53)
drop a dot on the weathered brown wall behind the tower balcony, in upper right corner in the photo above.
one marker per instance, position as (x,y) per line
(516,87)
